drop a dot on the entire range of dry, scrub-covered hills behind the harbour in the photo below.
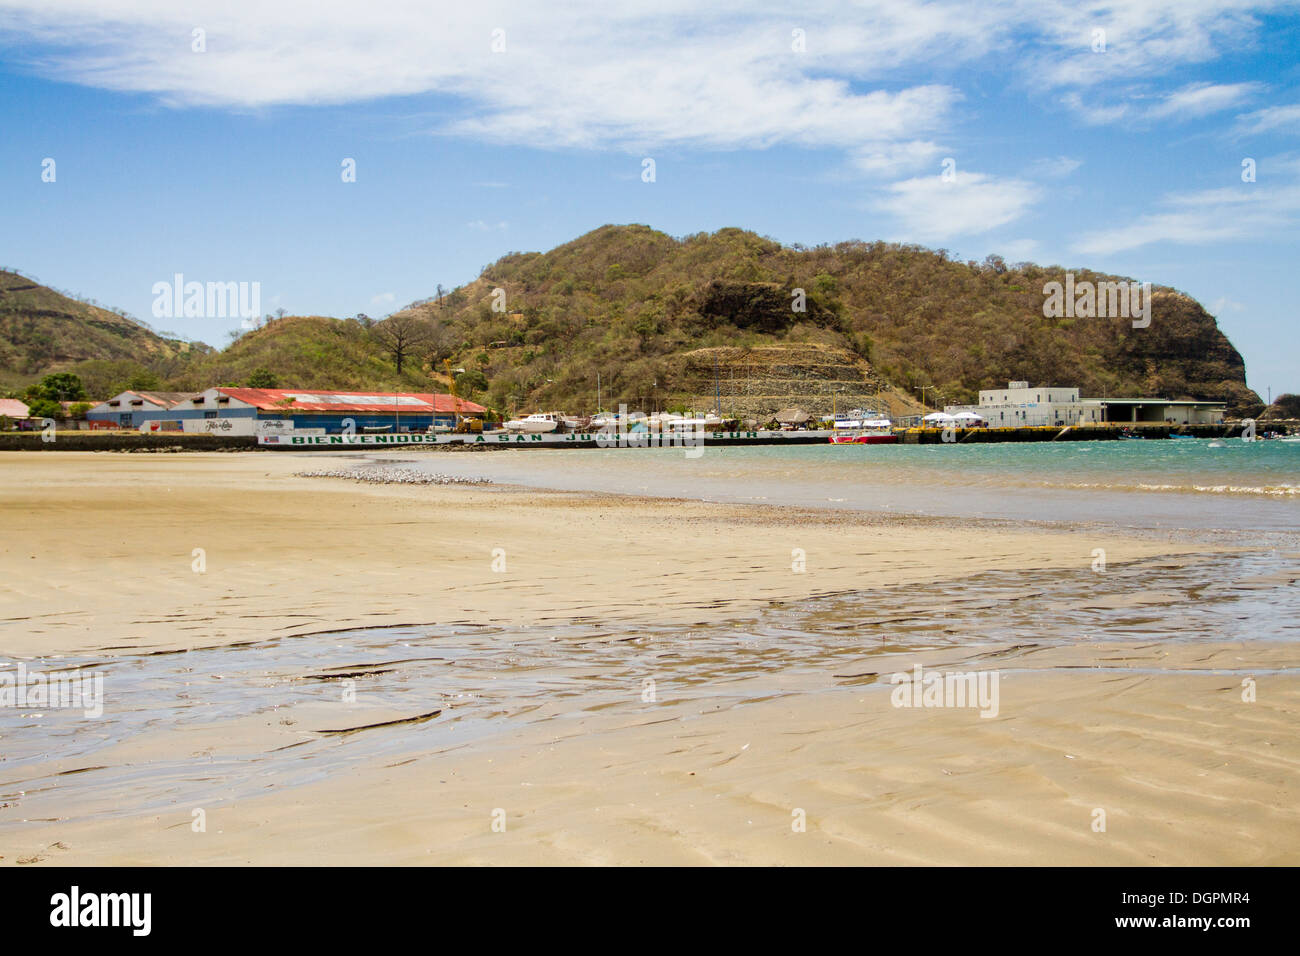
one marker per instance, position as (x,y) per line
(729,318)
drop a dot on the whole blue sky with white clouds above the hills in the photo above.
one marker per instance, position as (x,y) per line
(809,123)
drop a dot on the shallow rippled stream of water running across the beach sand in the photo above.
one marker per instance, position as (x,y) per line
(489,680)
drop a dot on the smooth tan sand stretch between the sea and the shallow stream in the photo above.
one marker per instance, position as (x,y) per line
(396,555)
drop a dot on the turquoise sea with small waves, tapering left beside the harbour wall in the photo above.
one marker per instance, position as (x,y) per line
(1132,485)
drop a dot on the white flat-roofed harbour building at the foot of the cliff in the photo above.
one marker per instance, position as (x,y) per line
(1022,405)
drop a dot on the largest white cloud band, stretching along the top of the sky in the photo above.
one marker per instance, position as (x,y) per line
(636,75)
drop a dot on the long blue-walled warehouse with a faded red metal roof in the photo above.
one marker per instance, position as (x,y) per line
(246,412)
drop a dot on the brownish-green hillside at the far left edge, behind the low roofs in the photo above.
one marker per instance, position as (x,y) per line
(44,331)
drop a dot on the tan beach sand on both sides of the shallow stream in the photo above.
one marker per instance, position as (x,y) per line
(814,767)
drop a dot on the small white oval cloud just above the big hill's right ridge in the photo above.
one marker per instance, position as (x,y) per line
(933,210)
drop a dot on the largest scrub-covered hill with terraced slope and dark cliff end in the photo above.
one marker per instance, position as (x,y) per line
(638,308)
